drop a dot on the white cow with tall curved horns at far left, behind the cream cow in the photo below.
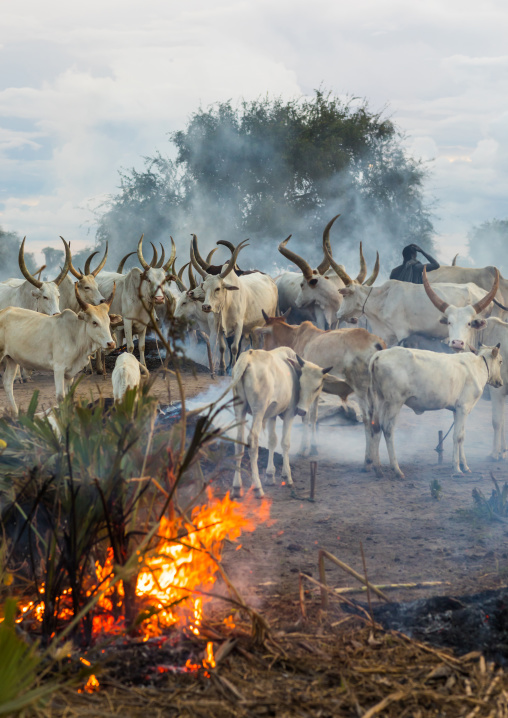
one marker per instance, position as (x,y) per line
(33,294)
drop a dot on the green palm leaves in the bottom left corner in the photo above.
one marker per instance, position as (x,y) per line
(20,666)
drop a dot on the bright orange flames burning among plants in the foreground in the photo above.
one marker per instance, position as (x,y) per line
(175,579)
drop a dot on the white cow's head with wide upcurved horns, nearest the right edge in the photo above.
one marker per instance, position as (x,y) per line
(462,322)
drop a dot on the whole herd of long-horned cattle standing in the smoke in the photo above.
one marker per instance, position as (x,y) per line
(429,346)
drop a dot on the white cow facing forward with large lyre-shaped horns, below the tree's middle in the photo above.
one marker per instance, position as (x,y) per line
(237,304)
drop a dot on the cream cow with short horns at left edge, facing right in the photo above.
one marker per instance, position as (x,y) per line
(62,343)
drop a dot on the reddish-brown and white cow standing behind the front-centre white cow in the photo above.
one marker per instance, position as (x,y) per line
(347,352)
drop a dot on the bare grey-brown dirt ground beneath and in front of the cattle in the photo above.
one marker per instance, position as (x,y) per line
(407,535)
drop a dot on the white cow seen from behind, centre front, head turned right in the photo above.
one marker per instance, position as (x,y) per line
(268,385)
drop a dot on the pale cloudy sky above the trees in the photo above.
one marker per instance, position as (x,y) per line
(87,89)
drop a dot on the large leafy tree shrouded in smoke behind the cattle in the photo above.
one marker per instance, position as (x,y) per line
(268,168)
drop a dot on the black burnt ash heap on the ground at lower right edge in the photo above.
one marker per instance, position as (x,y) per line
(477,622)
